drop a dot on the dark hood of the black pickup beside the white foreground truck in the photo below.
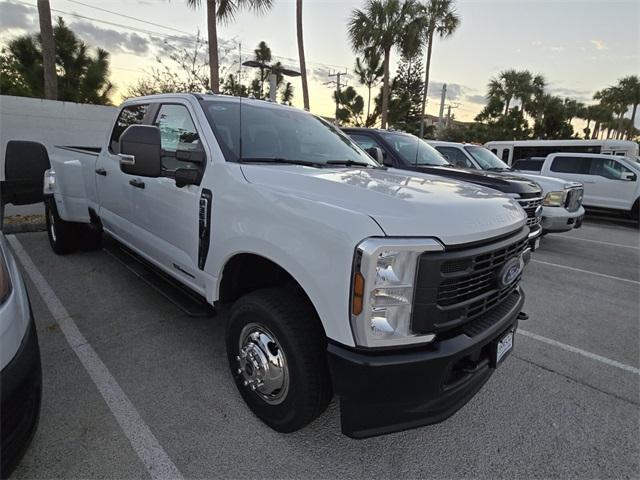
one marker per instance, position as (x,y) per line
(503,182)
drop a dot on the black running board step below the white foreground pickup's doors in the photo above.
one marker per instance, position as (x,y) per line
(186,300)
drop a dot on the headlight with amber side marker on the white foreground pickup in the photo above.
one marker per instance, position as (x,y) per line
(384,272)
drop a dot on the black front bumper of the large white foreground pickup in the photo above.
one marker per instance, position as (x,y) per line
(396,390)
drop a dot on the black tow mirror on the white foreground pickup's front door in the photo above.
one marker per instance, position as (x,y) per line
(140,148)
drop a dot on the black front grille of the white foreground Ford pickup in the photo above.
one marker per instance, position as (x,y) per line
(455,287)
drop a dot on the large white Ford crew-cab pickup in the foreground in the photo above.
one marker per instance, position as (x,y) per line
(397,292)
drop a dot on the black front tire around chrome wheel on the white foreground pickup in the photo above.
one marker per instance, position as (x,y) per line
(297,332)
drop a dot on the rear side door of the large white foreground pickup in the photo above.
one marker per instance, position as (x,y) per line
(115,195)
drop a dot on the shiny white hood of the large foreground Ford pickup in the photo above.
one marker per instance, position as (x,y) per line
(401,204)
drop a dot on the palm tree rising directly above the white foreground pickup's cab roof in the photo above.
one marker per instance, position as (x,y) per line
(224,11)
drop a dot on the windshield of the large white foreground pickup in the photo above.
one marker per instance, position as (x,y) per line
(280,134)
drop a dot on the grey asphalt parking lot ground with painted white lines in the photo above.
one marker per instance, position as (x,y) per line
(140,389)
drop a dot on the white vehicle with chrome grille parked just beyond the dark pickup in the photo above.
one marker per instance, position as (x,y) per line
(562,206)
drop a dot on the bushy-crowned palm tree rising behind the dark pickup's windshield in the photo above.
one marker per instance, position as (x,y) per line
(382,25)
